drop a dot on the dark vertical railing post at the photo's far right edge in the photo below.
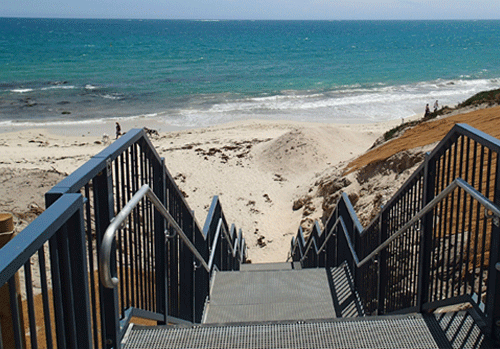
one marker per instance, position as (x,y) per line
(493,295)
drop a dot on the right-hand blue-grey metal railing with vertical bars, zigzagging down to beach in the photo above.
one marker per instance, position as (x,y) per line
(446,256)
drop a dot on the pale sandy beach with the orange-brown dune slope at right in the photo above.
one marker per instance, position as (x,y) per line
(258,168)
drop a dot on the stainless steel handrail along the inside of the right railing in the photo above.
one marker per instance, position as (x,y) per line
(458,182)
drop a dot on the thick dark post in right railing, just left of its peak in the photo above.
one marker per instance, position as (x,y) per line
(426,233)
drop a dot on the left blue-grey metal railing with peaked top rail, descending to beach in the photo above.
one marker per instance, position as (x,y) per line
(159,278)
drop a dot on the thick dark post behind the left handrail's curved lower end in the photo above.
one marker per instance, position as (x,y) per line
(104,211)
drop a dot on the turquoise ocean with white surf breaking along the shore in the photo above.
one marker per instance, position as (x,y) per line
(196,73)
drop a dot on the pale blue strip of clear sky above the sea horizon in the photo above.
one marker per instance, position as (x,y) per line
(254,9)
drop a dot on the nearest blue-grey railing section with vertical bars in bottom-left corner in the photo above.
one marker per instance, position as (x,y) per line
(43,249)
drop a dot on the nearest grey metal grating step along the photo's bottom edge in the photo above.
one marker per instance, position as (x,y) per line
(452,330)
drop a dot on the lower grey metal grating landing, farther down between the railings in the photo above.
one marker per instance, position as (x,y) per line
(270,295)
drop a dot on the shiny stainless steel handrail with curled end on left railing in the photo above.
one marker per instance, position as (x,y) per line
(109,236)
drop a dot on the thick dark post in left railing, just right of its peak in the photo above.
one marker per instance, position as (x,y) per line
(159,234)
